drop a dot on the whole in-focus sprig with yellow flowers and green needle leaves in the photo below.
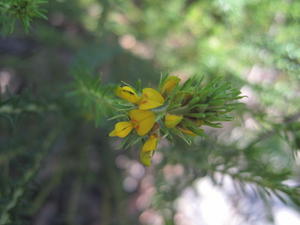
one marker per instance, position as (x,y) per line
(174,109)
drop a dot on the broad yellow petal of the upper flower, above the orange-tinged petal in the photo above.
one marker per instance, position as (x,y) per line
(150,99)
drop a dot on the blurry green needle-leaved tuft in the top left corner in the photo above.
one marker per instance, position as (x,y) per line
(23,11)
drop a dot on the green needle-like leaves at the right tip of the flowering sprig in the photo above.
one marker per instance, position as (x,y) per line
(208,102)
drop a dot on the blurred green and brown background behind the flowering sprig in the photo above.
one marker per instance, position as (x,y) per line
(57,164)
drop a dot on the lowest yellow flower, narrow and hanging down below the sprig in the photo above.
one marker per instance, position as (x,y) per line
(148,150)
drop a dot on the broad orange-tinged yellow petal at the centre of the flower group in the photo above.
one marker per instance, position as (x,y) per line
(142,120)
